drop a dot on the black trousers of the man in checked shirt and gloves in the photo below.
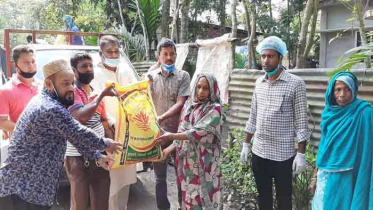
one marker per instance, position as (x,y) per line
(265,171)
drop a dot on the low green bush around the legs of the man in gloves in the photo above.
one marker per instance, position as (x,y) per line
(239,189)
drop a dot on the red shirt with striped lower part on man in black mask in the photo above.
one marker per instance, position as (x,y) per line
(81,98)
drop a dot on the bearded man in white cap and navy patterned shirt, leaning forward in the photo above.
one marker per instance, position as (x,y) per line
(30,175)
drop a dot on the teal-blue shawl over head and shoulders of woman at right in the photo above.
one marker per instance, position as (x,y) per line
(340,126)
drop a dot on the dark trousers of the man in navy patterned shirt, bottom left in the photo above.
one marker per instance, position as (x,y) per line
(14,202)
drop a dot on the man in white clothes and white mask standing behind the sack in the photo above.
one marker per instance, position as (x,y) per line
(112,70)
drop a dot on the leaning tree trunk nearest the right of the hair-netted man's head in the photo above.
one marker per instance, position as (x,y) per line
(301,60)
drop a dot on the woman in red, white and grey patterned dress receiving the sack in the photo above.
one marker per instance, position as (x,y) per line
(197,146)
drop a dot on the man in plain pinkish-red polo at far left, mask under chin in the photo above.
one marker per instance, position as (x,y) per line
(18,91)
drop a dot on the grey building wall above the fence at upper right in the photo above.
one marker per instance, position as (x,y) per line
(333,22)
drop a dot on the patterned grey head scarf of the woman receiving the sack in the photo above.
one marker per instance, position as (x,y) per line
(203,115)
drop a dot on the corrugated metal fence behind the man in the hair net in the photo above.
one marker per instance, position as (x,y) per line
(242,84)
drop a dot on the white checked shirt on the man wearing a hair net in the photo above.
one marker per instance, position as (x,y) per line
(278,116)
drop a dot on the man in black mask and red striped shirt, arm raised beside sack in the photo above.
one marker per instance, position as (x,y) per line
(88,182)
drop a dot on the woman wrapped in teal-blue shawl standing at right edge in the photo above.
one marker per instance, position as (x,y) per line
(344,160)
